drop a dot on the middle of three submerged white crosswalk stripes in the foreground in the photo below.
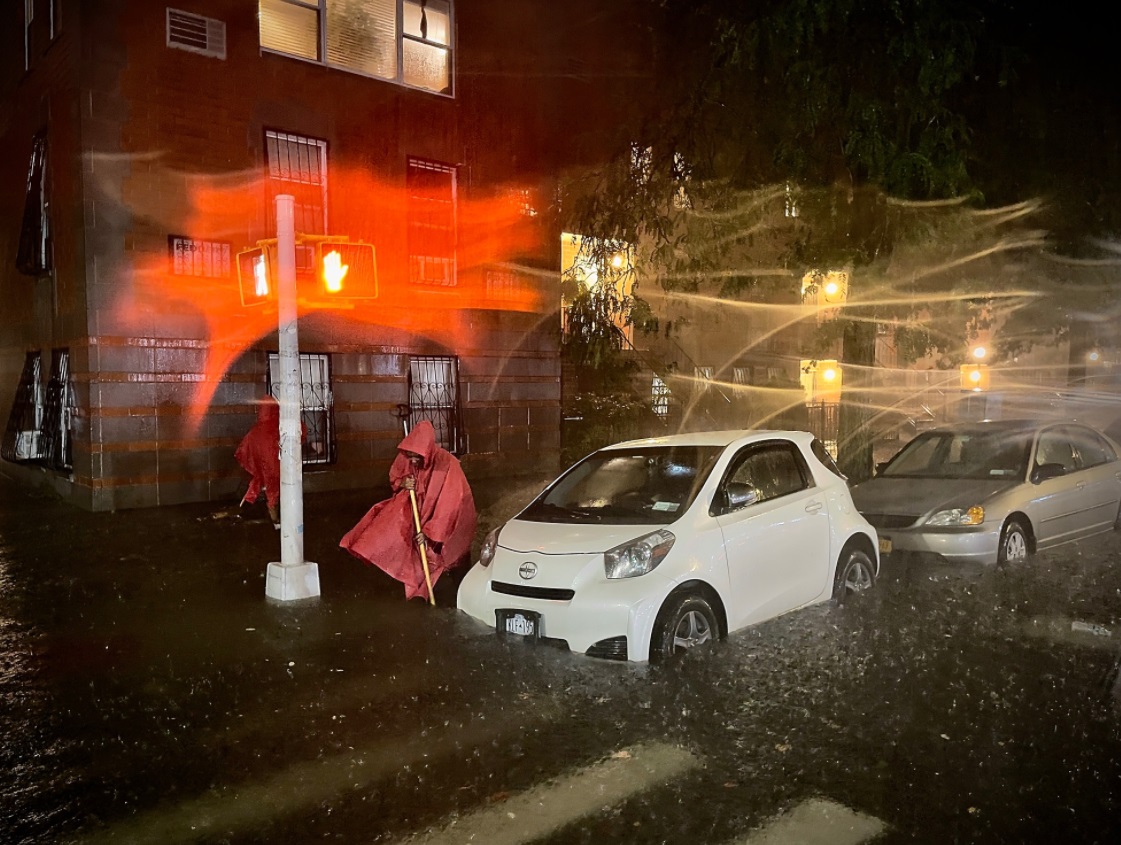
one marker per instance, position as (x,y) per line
(539,812)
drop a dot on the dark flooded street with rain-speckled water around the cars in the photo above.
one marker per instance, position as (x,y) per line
(151,693)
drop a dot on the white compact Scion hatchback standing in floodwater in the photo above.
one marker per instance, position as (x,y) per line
(650,547)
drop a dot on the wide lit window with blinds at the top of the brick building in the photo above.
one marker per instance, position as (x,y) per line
(407,42)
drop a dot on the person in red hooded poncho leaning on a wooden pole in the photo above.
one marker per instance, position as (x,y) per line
(387,537)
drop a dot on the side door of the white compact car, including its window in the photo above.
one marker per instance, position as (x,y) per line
(779,542)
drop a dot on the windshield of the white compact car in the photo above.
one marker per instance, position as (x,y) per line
(646,486)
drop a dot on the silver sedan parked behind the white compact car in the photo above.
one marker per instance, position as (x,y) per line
(996,491)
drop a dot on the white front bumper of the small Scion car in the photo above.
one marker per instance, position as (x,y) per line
(597,614)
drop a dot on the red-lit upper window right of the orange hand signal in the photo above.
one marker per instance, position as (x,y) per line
(431,189)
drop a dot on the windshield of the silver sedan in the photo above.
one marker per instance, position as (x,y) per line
(968,454)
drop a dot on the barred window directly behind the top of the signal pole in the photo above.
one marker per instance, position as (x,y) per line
(299,166)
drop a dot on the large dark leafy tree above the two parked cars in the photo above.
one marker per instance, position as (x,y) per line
(857,112)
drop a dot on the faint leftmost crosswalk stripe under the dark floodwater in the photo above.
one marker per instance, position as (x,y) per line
(238,810)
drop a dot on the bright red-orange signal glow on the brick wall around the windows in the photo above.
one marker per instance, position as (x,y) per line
(494,239)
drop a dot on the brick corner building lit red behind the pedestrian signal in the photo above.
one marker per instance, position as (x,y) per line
(144,147)
